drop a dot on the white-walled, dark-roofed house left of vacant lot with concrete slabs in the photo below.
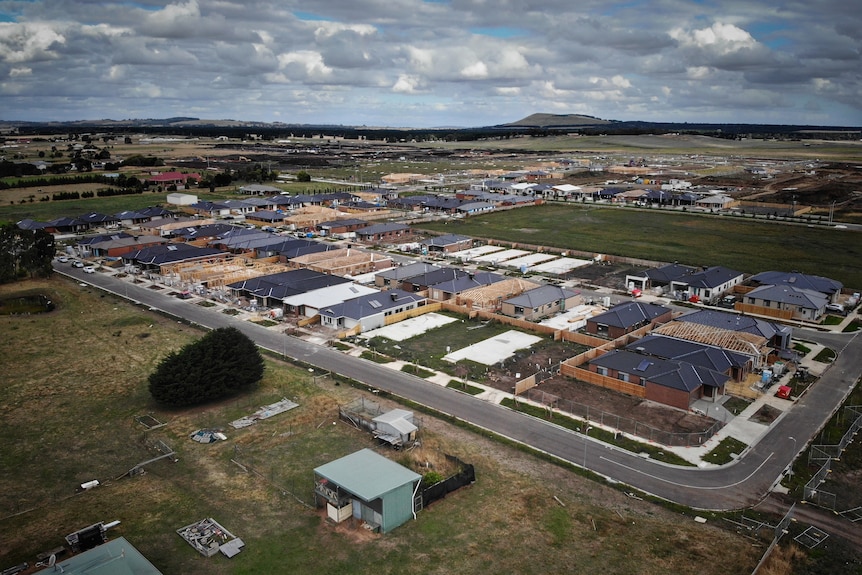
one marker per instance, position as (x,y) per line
(369,311)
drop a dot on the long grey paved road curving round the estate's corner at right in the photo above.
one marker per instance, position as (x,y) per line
(734,486)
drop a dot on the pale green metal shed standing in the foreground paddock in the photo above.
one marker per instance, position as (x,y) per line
(369,488)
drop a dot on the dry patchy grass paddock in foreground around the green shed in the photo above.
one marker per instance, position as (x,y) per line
(74,379)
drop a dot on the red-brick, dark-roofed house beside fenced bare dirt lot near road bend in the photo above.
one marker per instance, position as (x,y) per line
(674,383)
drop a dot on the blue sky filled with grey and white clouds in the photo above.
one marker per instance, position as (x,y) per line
(426,63)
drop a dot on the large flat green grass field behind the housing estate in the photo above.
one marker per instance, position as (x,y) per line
(747,246)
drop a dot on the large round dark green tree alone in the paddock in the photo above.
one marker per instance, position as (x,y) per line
(221,364)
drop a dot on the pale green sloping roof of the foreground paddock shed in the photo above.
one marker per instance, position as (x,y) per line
(367,474)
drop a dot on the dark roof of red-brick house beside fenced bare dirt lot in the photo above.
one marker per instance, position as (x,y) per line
(668,373)
